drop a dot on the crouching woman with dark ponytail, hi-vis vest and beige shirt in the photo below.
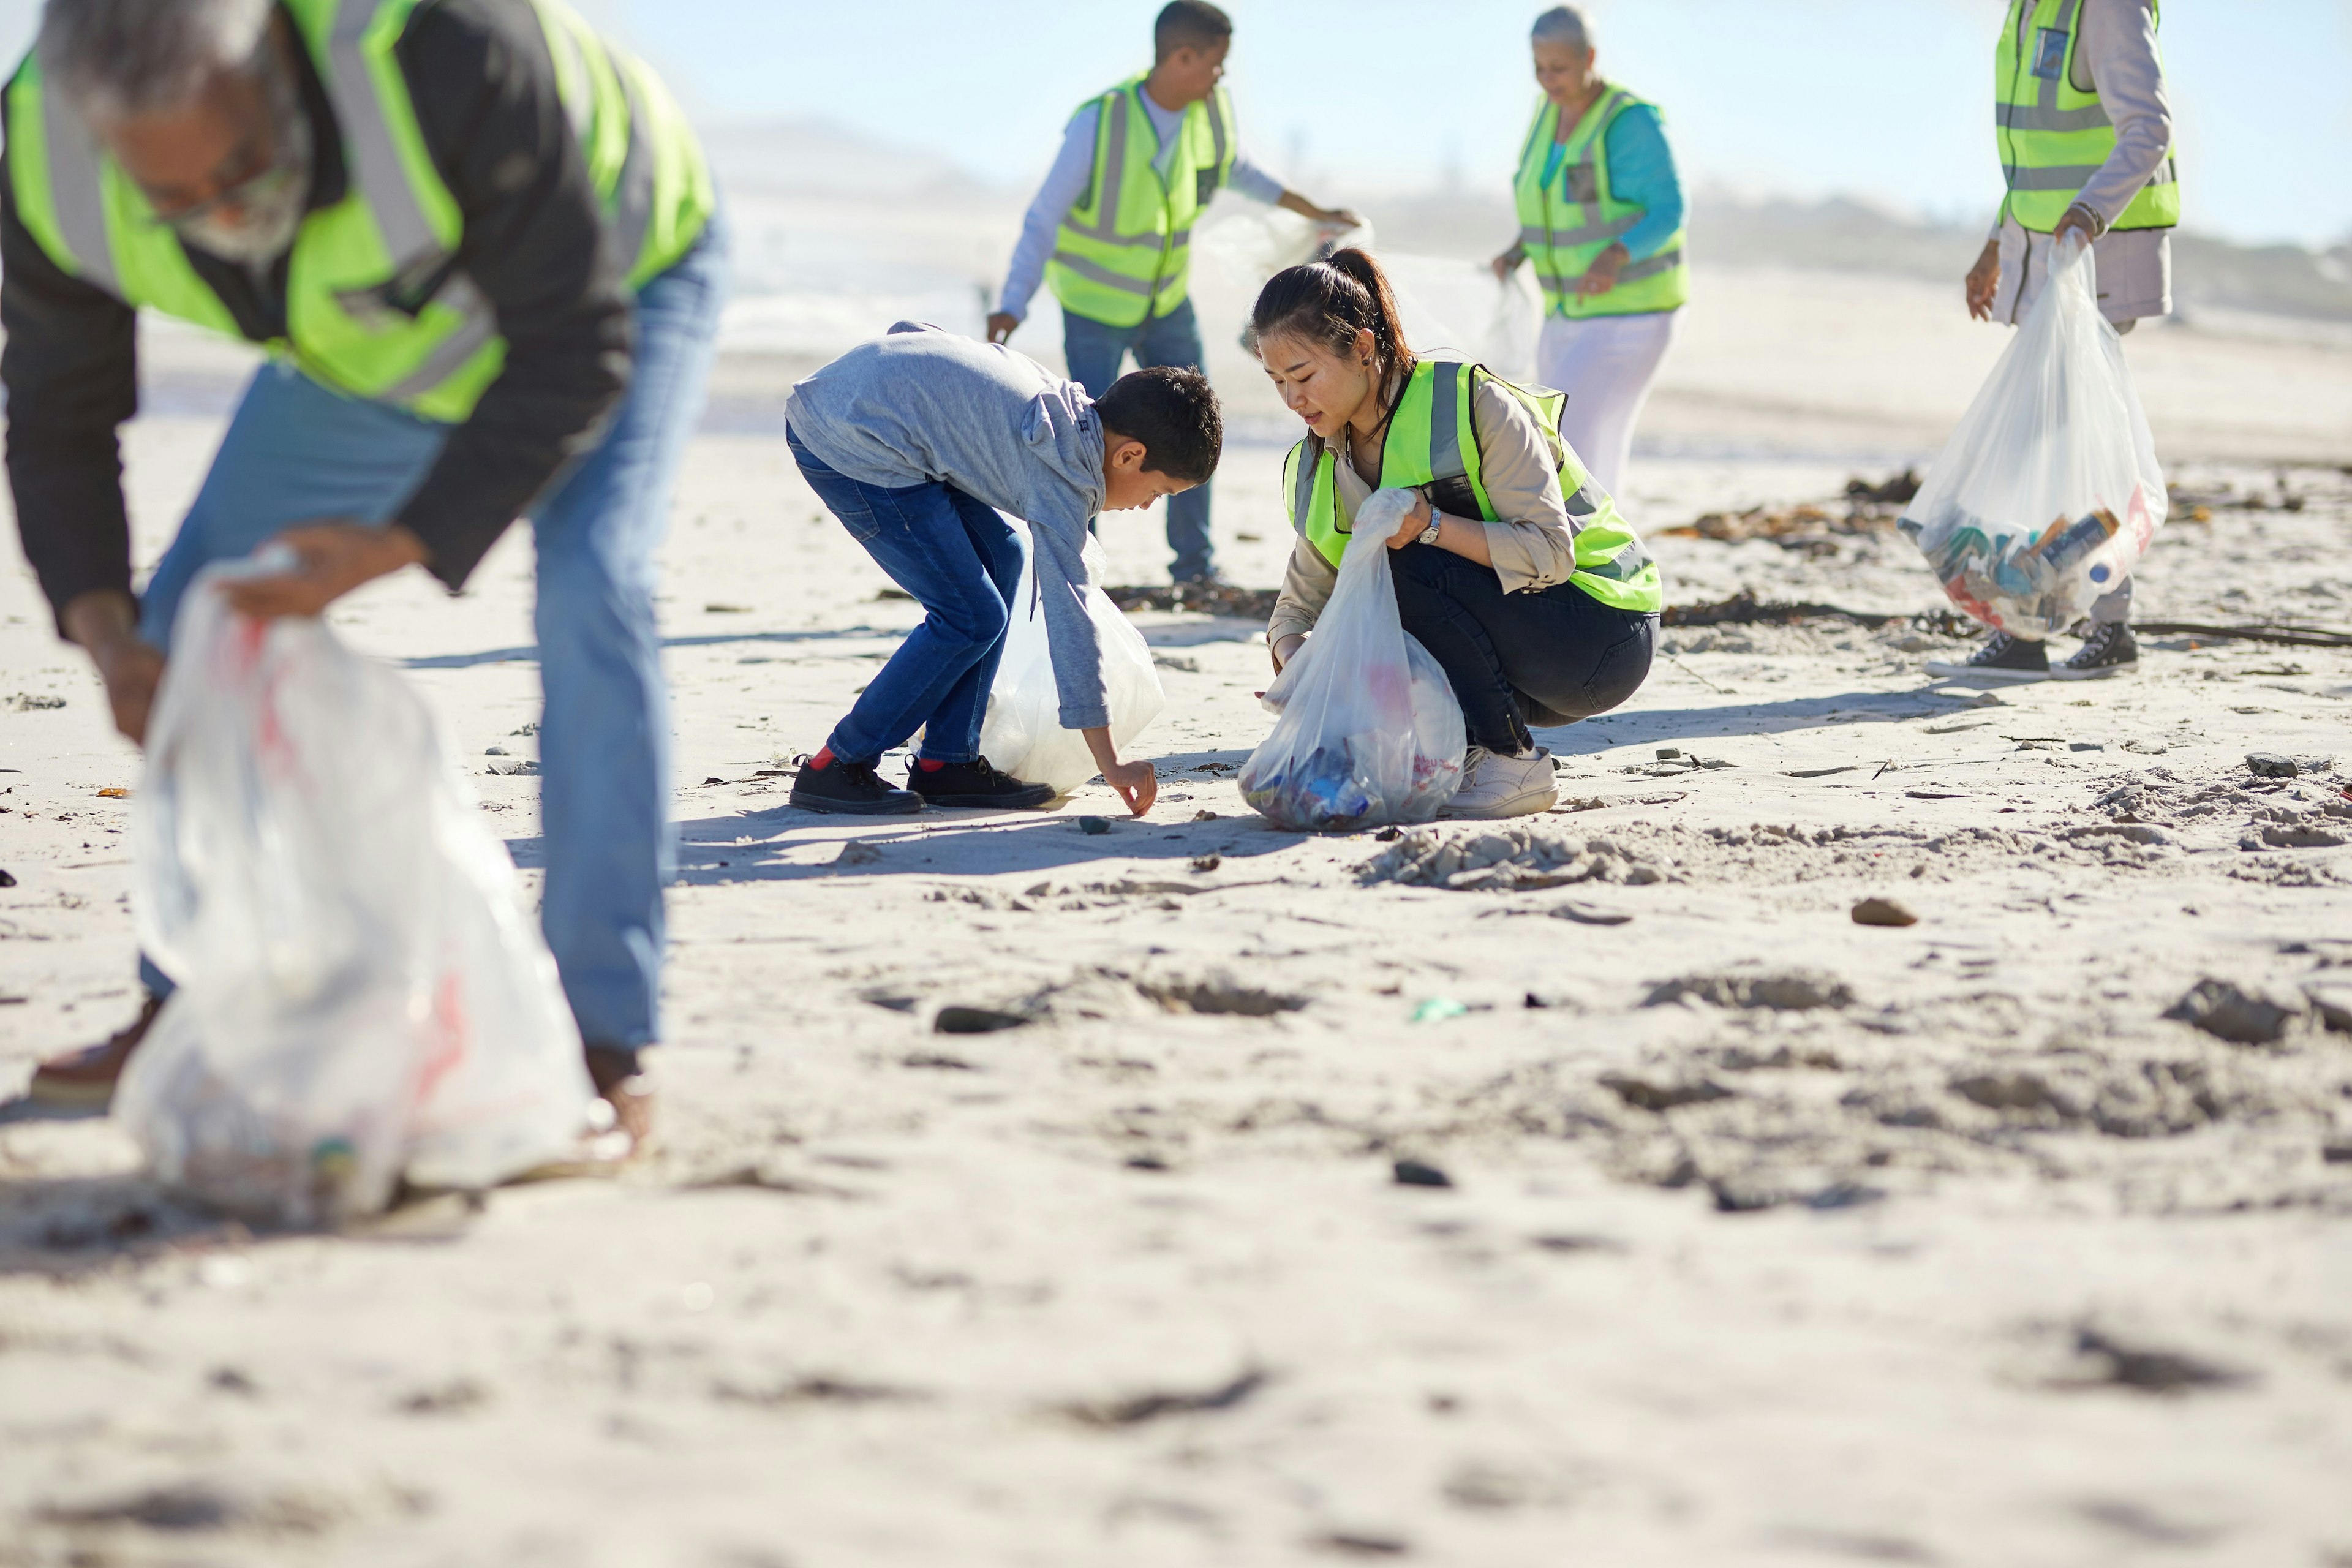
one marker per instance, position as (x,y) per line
(1514,568)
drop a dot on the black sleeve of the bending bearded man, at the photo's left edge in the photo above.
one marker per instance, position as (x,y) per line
(72,370)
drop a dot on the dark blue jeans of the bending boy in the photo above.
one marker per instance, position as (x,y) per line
(963,565)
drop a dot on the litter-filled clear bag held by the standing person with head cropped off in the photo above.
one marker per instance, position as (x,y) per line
(2050,488)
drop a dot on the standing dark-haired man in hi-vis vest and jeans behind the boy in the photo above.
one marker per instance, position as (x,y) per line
(1111,229)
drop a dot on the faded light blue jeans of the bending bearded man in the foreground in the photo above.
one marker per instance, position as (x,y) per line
(298,453)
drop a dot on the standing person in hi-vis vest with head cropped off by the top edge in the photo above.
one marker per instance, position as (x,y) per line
(2087,147)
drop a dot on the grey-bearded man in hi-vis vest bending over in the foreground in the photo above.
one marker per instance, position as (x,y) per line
(483,253)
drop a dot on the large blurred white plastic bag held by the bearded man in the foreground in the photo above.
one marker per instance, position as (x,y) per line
(359,993)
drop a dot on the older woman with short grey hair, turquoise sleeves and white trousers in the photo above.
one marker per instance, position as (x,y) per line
(1601,220)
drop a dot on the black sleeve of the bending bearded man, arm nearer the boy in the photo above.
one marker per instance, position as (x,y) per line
(486,100)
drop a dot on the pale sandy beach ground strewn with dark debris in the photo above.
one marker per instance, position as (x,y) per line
(1652,1217)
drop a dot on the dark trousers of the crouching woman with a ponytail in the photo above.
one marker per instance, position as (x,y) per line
(1516,659)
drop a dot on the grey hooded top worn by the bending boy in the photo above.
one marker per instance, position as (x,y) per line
(923,406)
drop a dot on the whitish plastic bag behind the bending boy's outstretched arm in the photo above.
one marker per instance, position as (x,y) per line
(1022,732)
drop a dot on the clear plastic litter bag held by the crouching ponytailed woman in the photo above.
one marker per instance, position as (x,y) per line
(1370,730)
